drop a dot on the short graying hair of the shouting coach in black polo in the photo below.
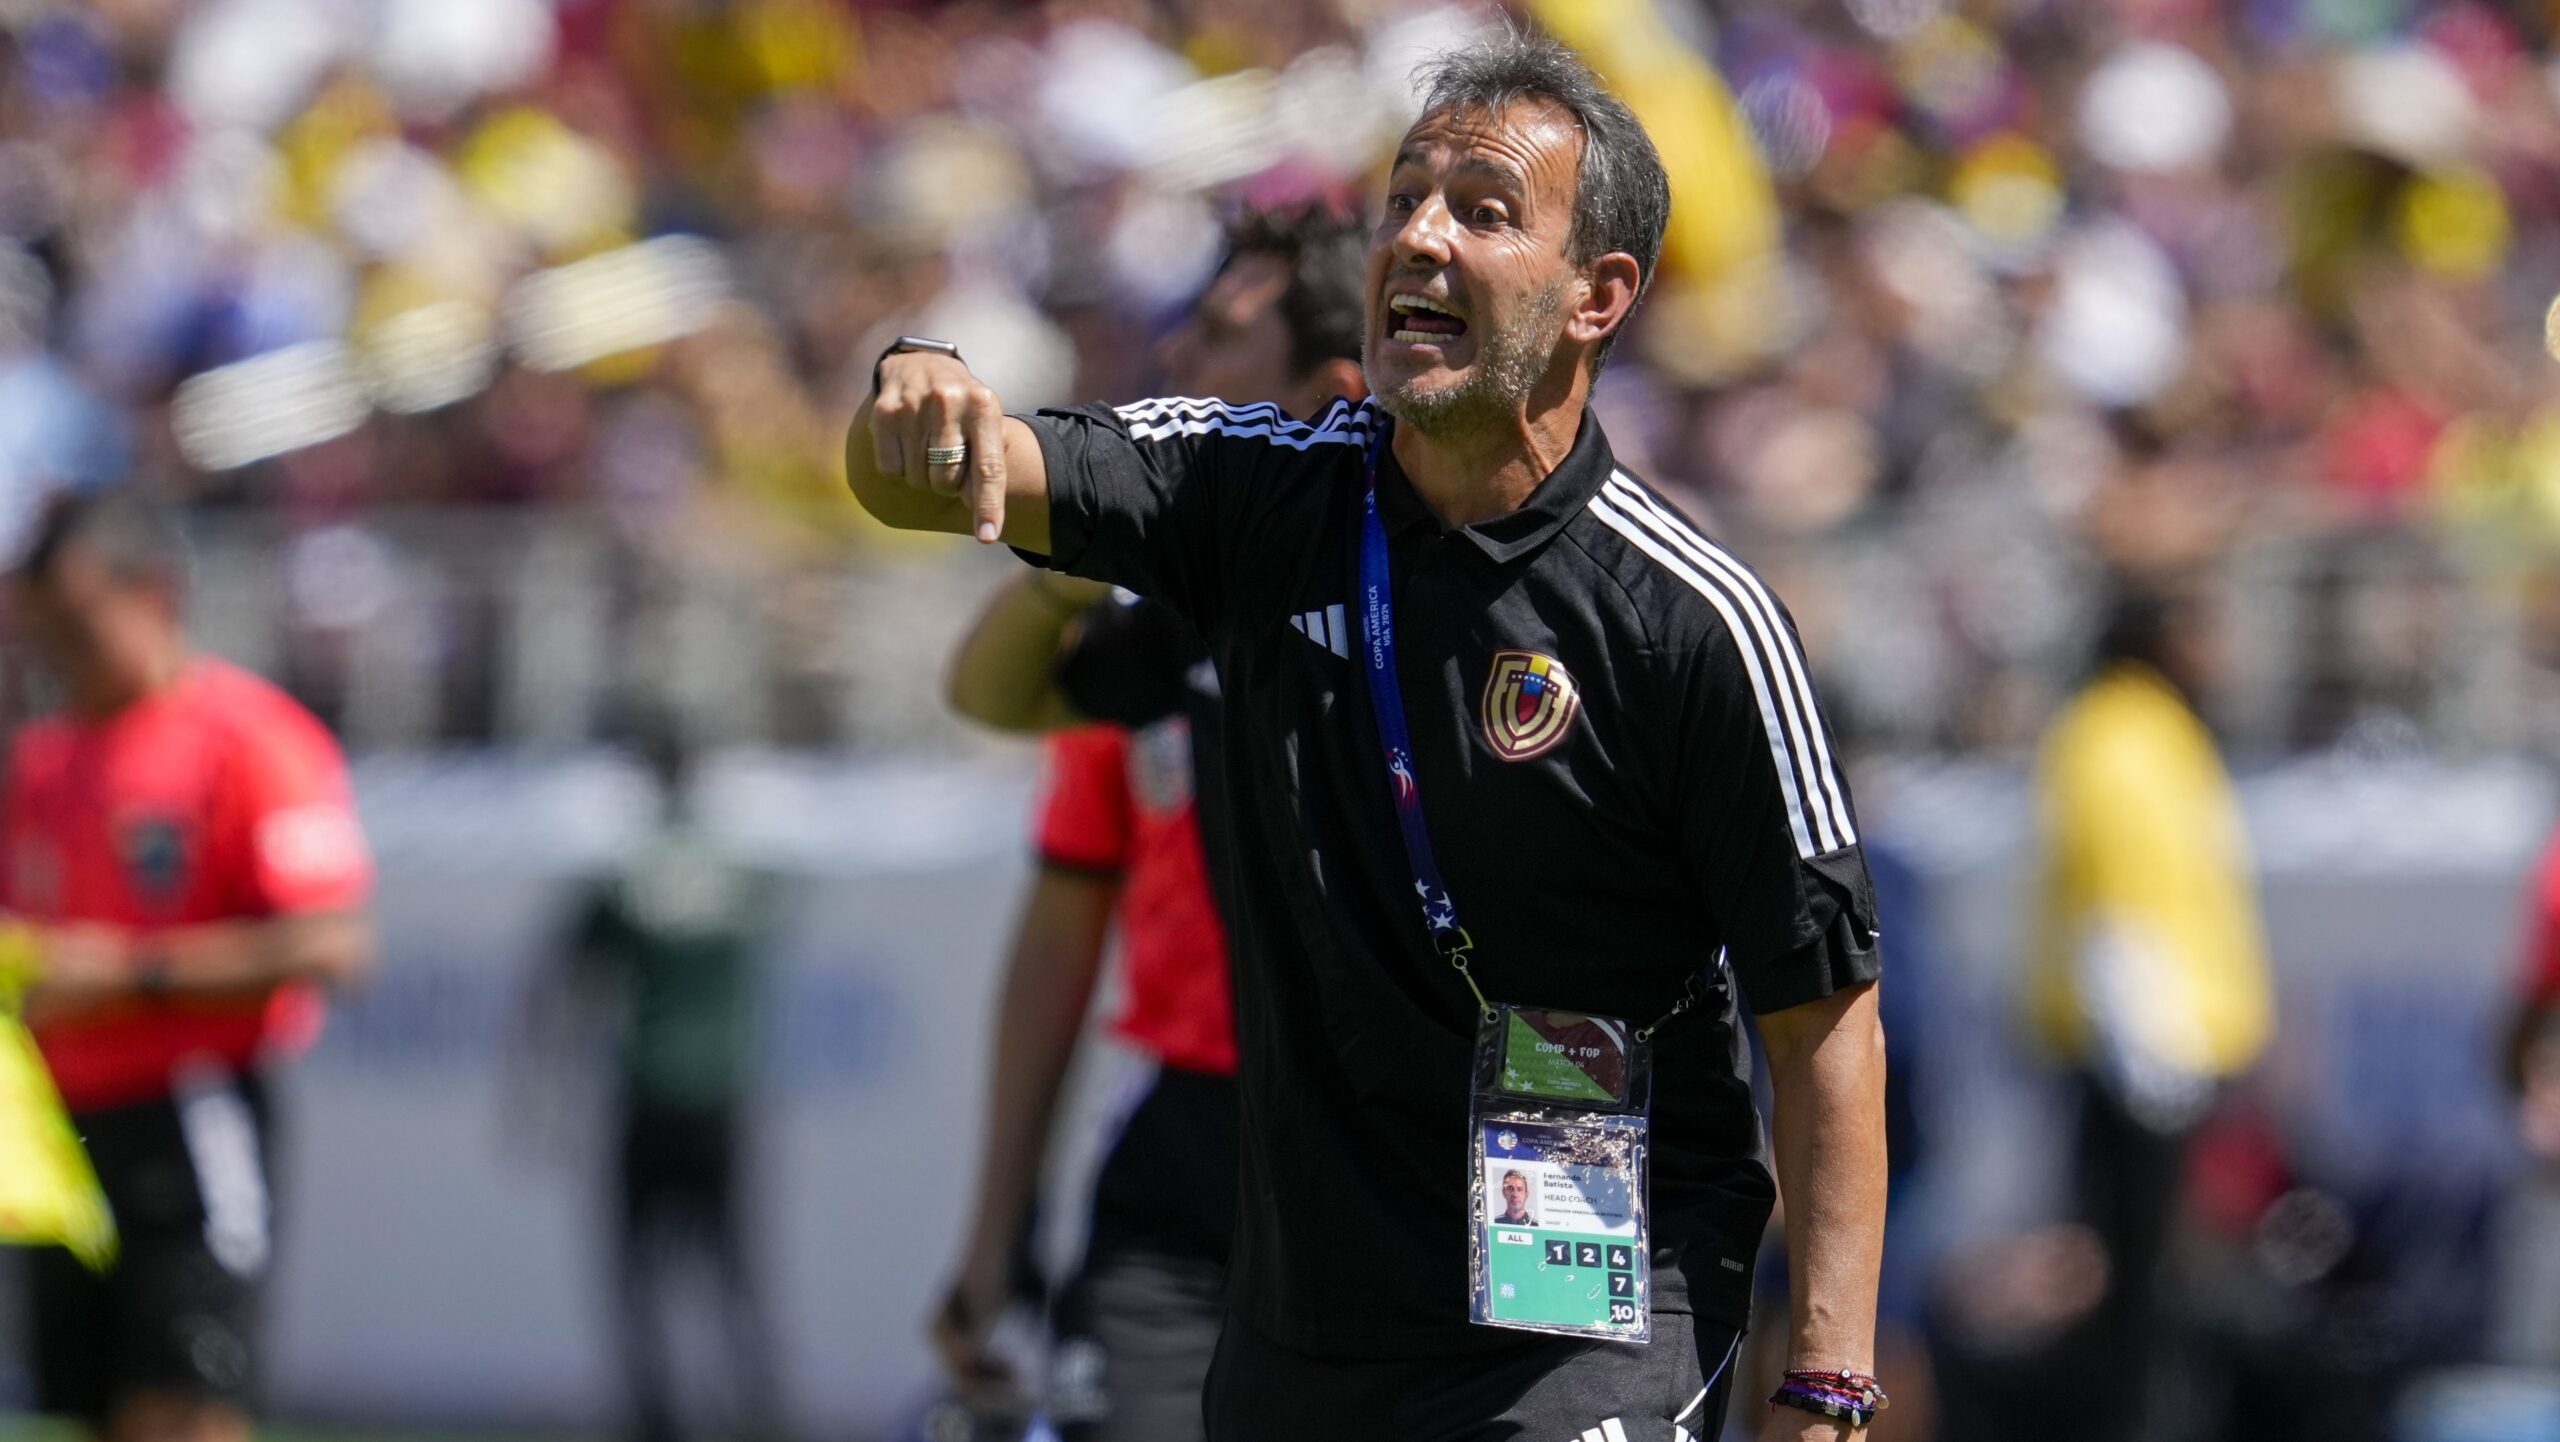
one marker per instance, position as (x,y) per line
(1622,196)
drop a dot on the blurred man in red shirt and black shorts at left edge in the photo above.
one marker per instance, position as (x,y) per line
(188,841)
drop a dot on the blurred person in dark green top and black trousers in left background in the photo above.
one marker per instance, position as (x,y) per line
(672,944)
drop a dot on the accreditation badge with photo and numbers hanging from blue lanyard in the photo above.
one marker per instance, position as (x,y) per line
(1558,1174)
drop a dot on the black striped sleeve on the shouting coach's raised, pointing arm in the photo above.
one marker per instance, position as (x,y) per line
(1161,496)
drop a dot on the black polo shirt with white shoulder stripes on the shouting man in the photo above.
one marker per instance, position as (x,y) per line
(1663,793)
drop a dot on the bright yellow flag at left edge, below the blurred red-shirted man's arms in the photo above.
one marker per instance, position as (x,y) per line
(47,1190)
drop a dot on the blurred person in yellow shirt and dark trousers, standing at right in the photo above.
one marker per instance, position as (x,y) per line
(2149,975)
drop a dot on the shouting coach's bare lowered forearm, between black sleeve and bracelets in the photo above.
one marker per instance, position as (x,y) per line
(1827,1069)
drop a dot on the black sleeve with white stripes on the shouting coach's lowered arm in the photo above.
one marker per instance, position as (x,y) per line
(1765,818)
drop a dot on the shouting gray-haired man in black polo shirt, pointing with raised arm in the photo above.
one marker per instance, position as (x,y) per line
(1606,731)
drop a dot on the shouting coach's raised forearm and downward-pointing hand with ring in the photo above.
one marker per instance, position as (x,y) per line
(925,403)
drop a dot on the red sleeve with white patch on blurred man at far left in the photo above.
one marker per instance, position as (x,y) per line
(298,818)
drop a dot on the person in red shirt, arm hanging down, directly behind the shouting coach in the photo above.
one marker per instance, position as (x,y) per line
(1117,836)
